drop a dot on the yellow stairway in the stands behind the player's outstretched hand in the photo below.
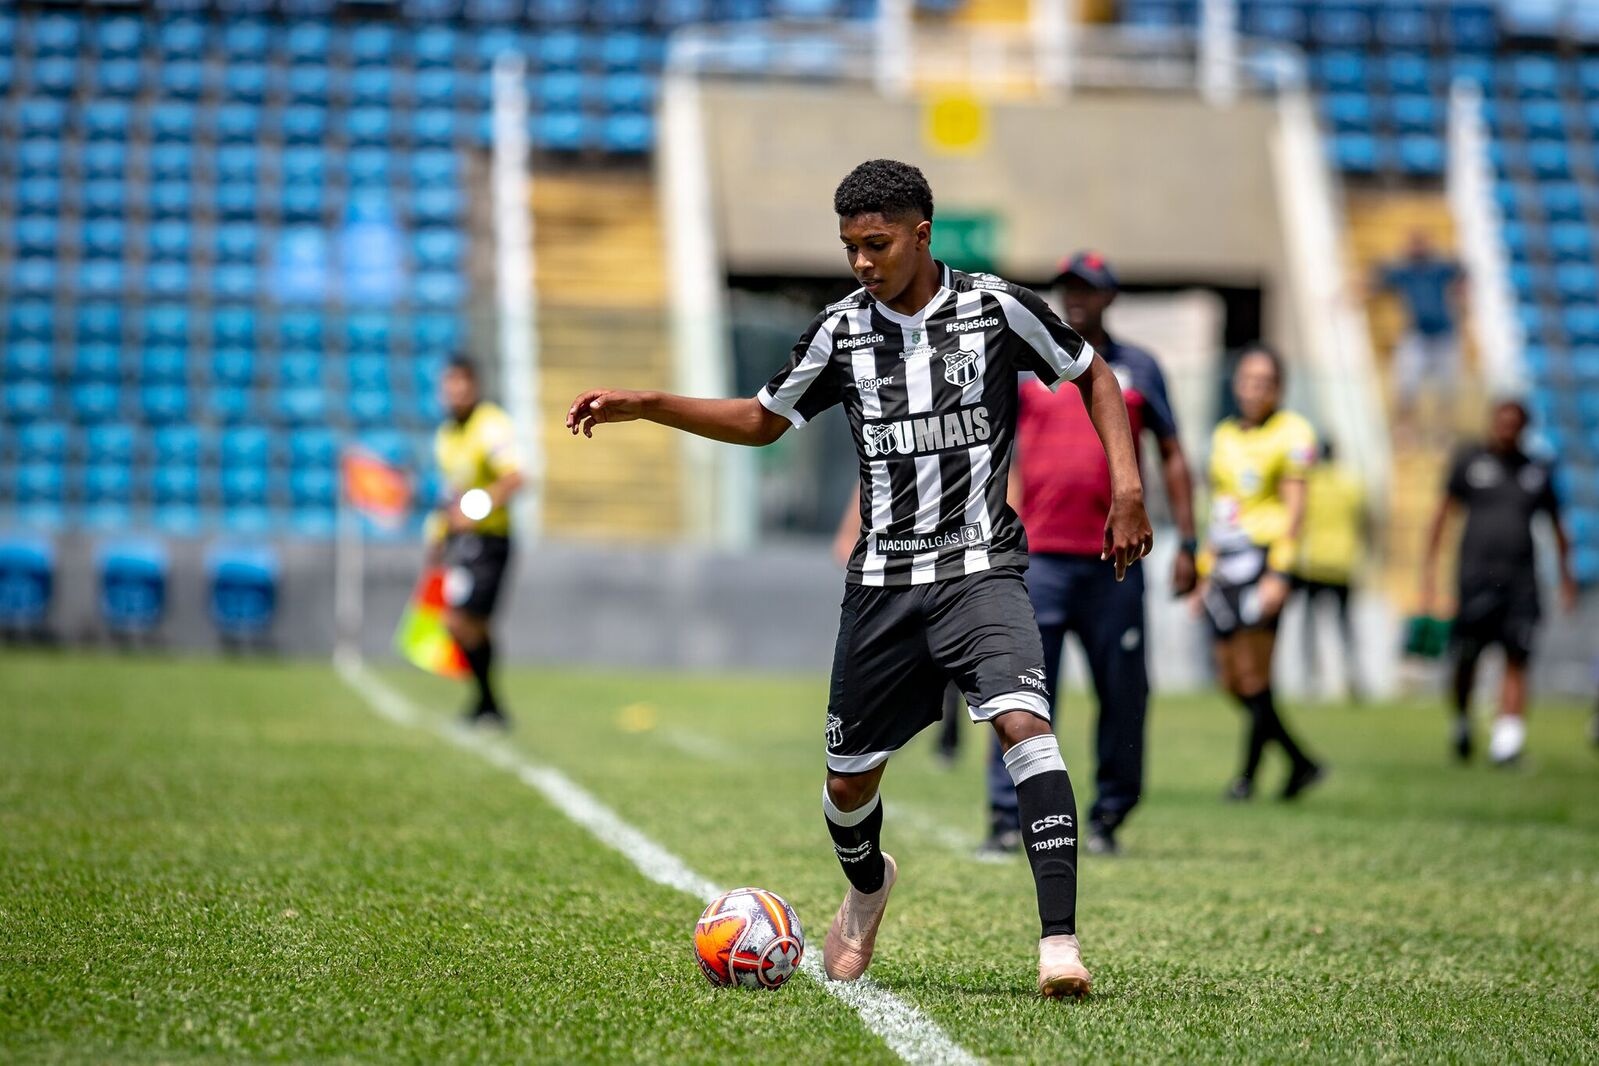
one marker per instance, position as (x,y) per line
(600,276)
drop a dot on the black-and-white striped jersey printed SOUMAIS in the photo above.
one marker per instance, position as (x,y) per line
(931,400)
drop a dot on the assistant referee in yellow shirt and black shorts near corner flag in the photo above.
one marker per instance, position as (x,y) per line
(471,533)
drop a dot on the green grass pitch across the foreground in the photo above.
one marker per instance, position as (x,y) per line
(225,862)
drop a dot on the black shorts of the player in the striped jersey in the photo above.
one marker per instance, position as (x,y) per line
(898,648)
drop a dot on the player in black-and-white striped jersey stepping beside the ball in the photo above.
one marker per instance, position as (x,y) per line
(925,360)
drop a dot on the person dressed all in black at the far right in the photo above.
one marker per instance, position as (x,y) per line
(1501,490)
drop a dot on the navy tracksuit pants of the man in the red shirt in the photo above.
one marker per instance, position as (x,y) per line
(1080,594)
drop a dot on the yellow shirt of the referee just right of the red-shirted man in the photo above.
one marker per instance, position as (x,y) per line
(1248,466)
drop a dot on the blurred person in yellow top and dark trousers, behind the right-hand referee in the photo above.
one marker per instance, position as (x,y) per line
(1334,541)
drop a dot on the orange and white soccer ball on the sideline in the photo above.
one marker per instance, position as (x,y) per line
(749,937)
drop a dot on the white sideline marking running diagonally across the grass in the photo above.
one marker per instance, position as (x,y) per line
(906,1030)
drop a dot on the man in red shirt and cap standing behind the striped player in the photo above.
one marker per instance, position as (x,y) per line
(1061,488)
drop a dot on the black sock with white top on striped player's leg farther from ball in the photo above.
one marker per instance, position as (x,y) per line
(1050,829)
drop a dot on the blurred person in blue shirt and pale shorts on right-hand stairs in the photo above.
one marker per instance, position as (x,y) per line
(1429,354)
